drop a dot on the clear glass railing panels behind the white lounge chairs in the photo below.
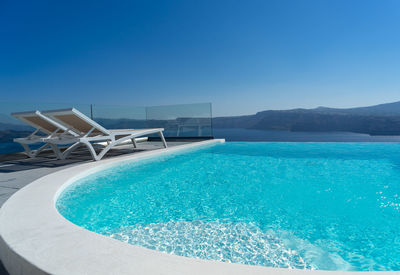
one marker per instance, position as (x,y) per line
(178,121)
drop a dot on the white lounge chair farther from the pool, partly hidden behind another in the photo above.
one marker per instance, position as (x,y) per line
(42,124)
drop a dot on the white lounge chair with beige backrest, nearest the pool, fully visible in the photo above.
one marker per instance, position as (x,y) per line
(91,132)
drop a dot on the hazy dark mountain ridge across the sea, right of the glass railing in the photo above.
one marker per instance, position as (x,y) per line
(383,119)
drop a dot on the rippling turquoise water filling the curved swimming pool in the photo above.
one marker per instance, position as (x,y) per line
(329,206)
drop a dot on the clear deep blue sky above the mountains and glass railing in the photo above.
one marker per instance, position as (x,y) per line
(243,56)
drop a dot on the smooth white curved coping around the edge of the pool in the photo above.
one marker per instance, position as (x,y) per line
(36,239)
